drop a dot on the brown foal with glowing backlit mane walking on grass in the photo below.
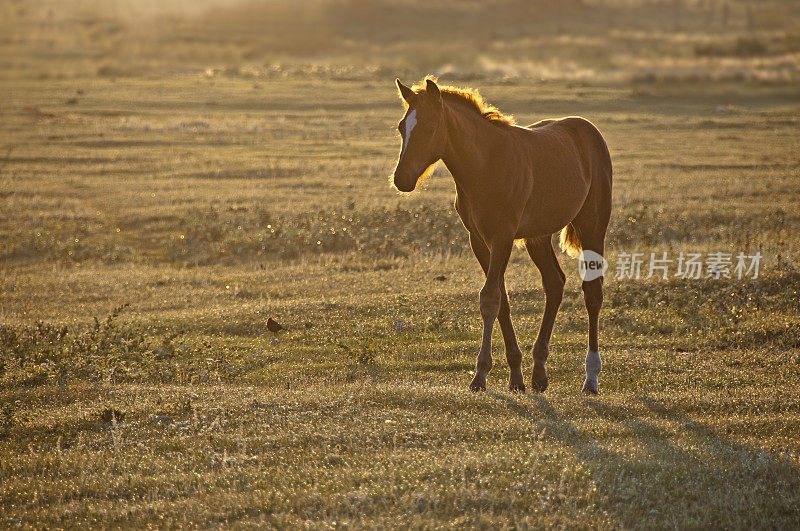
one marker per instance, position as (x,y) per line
(514,183)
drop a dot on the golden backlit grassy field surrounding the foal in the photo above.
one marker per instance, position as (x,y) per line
(172,175)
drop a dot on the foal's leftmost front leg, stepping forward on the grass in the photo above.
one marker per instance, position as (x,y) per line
(491,300)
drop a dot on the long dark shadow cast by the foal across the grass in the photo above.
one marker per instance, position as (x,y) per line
(684,471)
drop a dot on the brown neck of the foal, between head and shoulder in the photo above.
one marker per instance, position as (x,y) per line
(470,138)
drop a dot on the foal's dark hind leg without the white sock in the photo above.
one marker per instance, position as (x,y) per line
(553,279)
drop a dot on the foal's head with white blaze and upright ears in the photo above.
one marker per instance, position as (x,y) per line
(423,134)
